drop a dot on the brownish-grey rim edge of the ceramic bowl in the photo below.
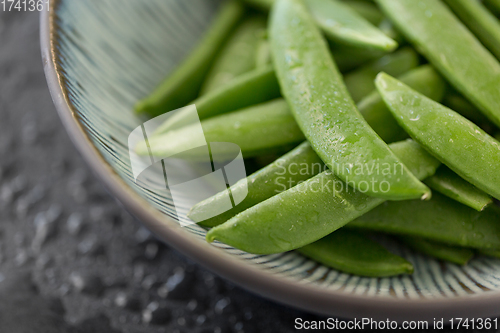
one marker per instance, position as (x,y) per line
(286,291)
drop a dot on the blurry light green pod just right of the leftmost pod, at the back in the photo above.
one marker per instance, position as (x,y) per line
(238,54)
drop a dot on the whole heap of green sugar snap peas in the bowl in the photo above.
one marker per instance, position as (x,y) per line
(408,90)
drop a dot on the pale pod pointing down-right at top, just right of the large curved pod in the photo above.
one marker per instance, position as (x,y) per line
(341,24)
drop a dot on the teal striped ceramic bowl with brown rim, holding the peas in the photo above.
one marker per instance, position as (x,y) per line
(100,57)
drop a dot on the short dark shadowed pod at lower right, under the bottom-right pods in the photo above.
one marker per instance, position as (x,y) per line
(454,254)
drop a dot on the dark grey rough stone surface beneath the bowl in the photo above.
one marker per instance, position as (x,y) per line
(71,258)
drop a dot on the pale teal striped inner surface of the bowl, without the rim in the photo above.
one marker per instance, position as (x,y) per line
(112,53)
